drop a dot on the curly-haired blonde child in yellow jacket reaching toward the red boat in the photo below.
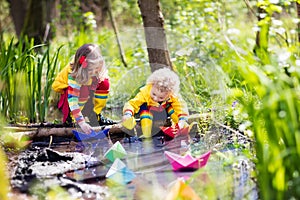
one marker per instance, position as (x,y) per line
(158,100)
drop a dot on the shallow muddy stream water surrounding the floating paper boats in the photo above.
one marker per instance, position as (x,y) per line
(80,168)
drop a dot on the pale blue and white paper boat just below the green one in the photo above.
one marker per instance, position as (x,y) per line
(119,173)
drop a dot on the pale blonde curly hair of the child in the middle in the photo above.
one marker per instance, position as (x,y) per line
(165,80)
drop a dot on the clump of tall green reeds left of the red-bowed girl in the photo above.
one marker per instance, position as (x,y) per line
(27,75)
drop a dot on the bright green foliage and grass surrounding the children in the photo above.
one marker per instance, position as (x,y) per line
(212,45)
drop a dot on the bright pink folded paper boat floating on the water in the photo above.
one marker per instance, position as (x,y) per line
(186,162)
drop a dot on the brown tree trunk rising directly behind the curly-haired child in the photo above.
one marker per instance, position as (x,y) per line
(155,34)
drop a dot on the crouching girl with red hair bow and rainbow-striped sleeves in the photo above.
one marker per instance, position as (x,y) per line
(83,84)
